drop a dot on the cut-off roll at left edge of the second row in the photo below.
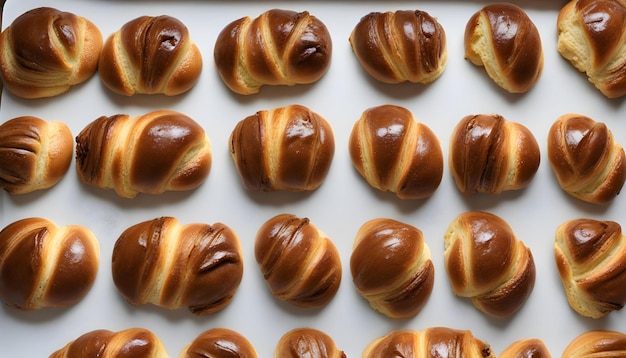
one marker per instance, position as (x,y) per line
(34,154)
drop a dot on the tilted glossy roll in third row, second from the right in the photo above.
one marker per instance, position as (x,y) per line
(487,263)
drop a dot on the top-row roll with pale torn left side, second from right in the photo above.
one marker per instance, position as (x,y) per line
(502,38)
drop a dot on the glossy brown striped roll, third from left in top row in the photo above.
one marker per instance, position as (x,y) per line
(279,47)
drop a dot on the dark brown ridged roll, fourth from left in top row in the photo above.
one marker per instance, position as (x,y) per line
(400,46)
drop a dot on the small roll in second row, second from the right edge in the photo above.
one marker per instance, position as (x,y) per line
(489,154)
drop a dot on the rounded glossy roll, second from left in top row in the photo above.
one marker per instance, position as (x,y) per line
(150,55)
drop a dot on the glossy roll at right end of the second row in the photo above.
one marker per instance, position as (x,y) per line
(587,162)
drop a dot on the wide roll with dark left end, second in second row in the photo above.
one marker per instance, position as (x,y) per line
(156,152)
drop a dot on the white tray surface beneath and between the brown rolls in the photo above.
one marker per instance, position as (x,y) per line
(339,207)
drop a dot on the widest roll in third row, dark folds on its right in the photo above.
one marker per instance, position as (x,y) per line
(171,265)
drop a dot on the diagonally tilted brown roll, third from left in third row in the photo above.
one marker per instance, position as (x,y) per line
(300,264)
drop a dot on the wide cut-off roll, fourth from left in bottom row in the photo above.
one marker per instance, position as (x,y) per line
(430,342)
